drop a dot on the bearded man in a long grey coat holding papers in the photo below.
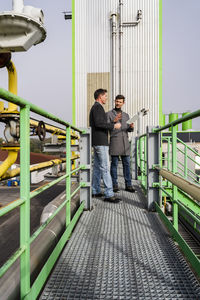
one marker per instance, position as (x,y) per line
(119,144)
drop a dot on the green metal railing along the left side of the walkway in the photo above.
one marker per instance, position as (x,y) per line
(28,291)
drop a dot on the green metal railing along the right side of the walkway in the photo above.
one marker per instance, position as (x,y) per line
(180,200)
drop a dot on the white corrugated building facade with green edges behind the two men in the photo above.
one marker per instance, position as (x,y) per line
(118,46)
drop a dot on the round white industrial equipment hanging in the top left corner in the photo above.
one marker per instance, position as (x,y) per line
(21,28)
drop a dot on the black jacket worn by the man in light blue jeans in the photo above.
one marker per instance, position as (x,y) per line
(99,125)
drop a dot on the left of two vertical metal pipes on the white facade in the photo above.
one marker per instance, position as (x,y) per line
(113,55)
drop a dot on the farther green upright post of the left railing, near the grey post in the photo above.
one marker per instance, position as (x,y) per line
(68,179)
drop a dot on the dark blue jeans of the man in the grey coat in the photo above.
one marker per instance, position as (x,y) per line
(126,169)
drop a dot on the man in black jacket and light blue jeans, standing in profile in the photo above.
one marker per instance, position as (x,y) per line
(100,127)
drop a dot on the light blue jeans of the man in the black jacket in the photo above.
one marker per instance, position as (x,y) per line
(101,169)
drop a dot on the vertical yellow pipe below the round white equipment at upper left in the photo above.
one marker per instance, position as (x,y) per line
(12,85)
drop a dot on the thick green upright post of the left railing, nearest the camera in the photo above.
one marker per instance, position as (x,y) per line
(25,195)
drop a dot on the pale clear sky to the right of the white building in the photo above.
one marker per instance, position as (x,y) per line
(181,56)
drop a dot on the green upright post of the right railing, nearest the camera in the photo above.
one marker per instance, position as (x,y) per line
(174,170)
